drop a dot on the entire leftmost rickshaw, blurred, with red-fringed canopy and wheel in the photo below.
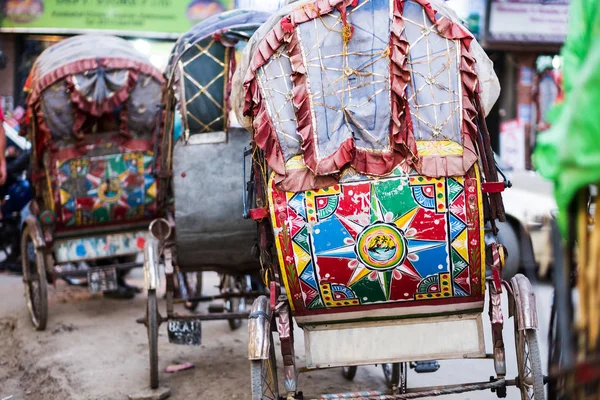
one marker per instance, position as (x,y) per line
(93,109)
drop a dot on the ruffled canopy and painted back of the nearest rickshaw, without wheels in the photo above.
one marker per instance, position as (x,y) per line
(366,113)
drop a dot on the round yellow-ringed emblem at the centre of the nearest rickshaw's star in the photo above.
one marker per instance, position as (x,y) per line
(381,246)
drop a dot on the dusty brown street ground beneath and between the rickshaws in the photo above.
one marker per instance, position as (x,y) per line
(93,349)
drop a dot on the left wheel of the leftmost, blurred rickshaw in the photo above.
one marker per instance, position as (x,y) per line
(33,262)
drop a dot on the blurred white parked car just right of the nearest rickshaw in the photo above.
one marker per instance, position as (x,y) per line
(526,234)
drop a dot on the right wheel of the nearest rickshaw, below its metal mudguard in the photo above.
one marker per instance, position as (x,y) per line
(531,380)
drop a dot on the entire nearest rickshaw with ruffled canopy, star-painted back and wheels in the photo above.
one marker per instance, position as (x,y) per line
(373,186)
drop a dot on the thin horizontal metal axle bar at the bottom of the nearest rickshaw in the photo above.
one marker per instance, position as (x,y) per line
(431,391)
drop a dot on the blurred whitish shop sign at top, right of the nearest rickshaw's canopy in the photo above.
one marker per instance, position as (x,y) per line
(528,21)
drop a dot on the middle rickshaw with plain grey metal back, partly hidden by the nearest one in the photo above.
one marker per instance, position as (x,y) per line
(200,172)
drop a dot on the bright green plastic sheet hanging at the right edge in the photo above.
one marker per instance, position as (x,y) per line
(569,152)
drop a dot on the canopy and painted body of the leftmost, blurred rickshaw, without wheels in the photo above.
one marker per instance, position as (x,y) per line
(94,106)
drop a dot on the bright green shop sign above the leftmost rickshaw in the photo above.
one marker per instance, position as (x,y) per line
(150,18)
